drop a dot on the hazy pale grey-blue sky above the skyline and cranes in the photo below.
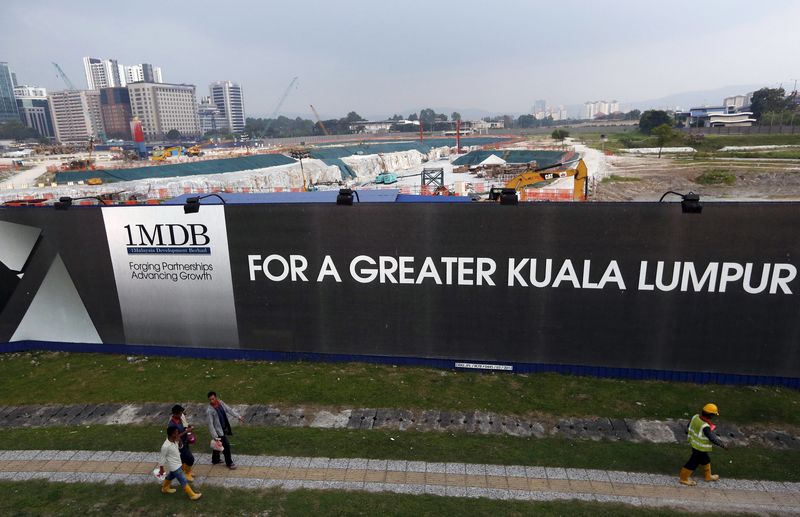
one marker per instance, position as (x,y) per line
(379,58)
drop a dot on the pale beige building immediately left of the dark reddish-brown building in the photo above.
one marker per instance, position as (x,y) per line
(76,115)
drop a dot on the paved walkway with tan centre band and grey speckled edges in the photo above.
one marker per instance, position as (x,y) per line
(413,477)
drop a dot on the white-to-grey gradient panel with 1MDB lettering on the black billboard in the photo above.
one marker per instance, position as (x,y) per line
(173,275)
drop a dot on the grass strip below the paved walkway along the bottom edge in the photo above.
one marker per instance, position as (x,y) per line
(43,498)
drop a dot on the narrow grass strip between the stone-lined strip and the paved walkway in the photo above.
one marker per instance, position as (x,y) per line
(770,464)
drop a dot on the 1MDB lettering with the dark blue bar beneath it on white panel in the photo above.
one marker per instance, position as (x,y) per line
(182,239)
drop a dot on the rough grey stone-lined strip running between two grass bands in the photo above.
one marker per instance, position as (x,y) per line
(478,422)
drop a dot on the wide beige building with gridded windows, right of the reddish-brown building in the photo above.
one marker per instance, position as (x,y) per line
(162,107)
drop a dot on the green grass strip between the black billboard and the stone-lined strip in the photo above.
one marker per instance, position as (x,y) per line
(61,378)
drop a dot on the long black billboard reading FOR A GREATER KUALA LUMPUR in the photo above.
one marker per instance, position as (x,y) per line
(627,286)
